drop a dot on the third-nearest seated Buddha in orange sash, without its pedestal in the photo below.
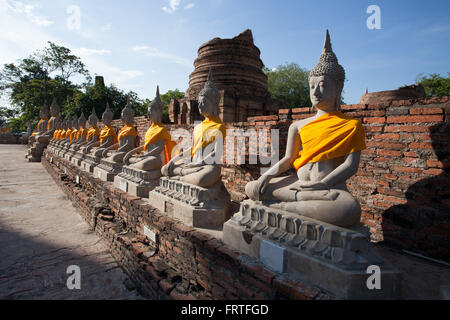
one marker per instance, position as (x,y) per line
(158,145)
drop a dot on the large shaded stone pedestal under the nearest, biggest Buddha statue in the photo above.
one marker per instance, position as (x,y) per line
(331,257)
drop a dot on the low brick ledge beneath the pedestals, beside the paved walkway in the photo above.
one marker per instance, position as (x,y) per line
(184,263)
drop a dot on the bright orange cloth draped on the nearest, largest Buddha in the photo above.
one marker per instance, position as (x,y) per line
(330,136)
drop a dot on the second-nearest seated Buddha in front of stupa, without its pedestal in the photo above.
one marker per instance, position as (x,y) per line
(200,165)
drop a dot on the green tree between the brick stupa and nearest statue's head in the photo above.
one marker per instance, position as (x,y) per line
(288,84)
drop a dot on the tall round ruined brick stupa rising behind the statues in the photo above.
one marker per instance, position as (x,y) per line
(238,74)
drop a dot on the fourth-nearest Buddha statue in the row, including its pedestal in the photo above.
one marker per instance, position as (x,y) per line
(111,163)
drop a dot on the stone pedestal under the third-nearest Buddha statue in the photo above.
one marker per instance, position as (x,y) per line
(137,182)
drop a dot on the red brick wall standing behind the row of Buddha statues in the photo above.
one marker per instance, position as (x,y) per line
(403,181)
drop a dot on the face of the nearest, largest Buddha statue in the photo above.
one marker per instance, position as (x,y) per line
(325,93)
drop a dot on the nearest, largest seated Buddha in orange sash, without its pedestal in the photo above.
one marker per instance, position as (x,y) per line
(324,149)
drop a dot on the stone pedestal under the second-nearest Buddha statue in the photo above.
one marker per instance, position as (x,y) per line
(193,205)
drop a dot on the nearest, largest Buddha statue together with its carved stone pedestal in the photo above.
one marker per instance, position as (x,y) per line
(308,224)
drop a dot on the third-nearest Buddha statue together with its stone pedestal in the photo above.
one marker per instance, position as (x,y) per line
(141,172)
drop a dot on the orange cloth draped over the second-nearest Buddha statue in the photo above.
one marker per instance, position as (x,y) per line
(207,131)
